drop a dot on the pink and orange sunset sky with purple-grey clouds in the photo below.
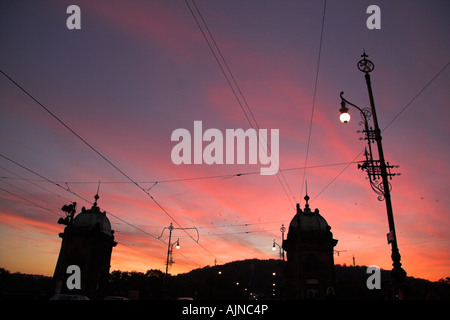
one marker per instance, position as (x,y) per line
(138,70)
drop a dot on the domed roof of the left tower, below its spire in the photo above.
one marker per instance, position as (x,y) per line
(93,219)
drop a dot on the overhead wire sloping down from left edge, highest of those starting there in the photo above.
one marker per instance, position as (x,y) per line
(103,157)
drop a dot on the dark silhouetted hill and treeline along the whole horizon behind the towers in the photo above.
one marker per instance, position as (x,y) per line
(253,278)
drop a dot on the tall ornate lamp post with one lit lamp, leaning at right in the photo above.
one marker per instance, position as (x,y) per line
(376,169)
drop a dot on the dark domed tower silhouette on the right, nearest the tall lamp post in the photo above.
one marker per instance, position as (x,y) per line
(310,263)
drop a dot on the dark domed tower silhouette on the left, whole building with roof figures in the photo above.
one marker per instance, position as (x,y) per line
(87,242)
